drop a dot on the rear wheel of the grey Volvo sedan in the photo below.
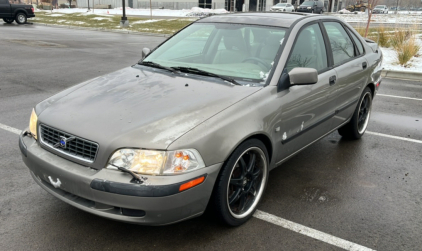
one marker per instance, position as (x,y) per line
(360,119)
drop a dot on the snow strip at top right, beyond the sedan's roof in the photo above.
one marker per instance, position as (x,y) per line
(400,18)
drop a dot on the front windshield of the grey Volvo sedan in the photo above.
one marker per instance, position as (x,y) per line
(243,52)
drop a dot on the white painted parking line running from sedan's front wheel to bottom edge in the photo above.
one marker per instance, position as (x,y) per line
(310,232)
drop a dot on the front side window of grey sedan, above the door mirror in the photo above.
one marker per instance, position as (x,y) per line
(309,50)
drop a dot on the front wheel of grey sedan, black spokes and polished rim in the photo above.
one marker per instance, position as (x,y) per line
(240,183)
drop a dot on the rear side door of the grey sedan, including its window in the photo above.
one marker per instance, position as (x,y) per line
(351,70)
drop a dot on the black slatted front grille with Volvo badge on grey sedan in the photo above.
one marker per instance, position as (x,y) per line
(78,148)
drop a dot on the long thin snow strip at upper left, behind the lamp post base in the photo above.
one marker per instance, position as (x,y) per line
(195,11)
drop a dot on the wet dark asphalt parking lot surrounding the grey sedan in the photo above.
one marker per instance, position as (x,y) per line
(359,195)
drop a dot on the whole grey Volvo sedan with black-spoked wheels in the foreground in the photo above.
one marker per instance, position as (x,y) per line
(201,119)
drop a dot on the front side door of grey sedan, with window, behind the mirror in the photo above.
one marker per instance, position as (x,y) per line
(306,113)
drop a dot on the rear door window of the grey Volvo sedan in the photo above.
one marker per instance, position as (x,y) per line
(341,44)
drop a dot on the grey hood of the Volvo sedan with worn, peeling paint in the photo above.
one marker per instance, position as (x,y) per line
(139,107)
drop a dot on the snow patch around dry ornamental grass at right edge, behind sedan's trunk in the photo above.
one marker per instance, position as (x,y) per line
(390,61)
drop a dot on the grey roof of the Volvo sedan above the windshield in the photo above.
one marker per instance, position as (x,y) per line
(258,18)
